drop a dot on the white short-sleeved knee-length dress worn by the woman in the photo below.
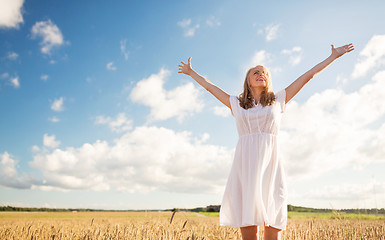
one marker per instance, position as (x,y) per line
(256,192)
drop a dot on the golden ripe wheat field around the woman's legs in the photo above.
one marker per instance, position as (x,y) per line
(156,225)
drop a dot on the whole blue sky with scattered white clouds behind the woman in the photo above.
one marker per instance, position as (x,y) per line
(95,115)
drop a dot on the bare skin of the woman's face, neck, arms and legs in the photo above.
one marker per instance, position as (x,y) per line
(257,82)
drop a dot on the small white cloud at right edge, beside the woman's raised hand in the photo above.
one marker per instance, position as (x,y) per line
(372,56)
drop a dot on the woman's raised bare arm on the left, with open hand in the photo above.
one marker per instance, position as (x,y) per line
(209,86)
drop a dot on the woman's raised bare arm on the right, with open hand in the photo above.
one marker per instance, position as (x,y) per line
(298,84)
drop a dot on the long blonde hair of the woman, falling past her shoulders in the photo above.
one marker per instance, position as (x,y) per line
(246,98)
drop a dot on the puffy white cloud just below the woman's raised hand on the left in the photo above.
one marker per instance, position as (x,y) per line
(178,102)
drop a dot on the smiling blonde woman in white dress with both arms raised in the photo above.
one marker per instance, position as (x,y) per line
(256,193)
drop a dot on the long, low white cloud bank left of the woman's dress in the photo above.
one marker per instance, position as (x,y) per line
(145,159)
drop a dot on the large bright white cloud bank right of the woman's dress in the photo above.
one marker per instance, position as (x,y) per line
(332,130)
